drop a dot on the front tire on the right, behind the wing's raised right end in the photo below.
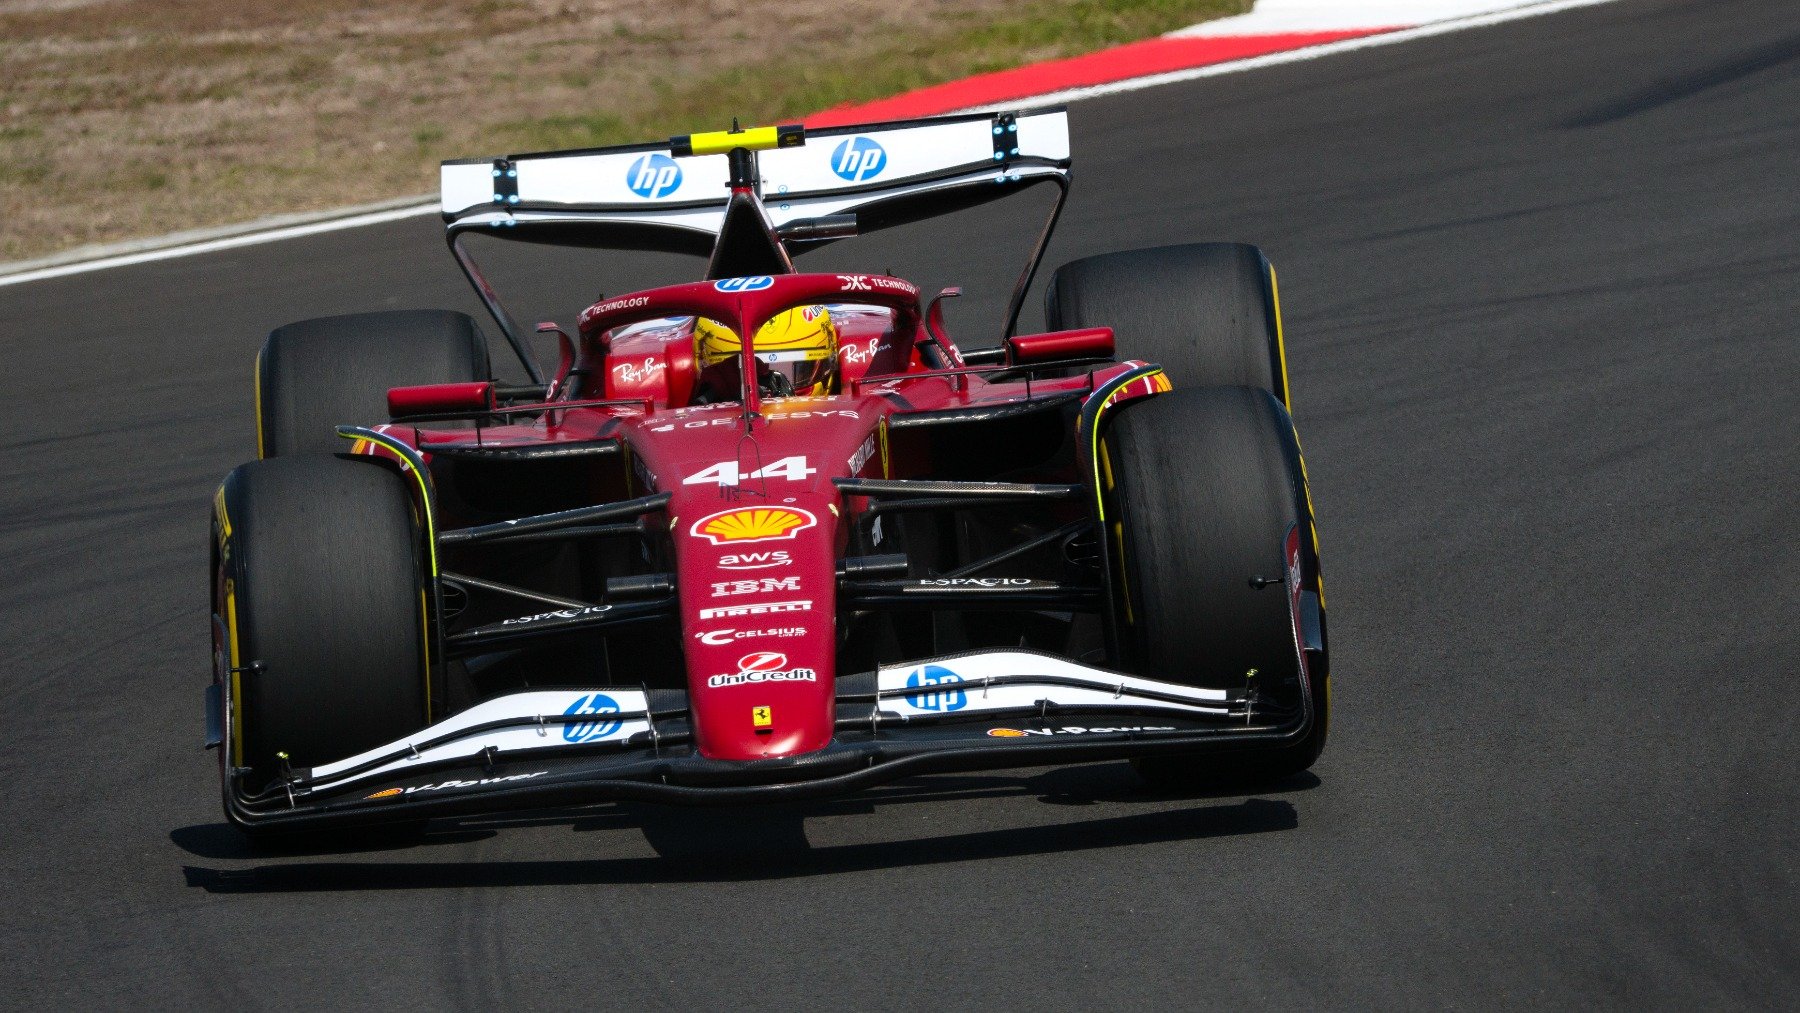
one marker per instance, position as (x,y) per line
(1207,489)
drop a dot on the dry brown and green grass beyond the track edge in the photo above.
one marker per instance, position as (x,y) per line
(136,118)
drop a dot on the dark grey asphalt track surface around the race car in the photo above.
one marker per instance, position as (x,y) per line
(1540,285)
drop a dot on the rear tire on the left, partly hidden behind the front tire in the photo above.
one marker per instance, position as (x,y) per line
(318,375)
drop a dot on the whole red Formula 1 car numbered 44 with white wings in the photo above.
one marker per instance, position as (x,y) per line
(768,535)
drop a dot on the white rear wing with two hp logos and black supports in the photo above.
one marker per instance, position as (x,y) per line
(843,181)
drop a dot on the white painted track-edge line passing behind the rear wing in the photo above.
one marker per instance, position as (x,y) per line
(1066,96)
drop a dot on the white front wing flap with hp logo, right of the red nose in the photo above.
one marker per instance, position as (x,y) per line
(1012,681)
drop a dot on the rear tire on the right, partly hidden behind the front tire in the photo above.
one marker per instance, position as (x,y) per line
(1205,312)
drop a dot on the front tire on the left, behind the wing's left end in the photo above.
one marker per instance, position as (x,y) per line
(321,580)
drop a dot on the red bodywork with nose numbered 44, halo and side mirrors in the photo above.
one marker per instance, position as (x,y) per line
(755,521)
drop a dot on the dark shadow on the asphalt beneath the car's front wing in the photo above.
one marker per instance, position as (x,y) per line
(712,845)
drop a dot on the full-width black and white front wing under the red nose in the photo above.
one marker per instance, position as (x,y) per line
(570,748)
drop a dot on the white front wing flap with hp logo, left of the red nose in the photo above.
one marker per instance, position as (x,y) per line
(613,715)
